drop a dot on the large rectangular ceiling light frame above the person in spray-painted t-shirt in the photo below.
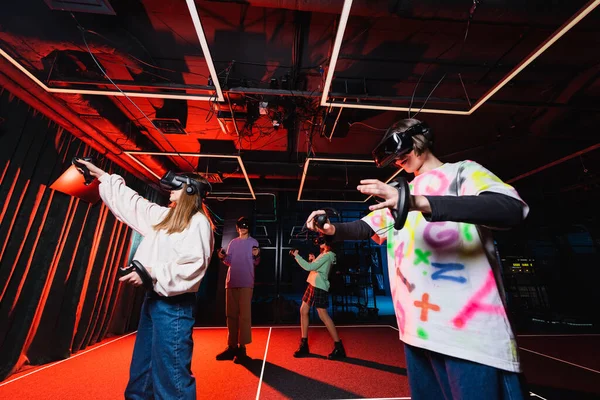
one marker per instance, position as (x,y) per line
(589,7)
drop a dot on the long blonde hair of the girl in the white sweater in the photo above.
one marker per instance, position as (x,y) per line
(178,218)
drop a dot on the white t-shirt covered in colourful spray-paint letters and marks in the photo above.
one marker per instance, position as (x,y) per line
(445,276)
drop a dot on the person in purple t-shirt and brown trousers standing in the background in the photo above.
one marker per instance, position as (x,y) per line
(243,254)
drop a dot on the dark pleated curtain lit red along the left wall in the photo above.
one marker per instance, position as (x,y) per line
(59,255)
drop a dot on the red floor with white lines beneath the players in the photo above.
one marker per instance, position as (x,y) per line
(561,368)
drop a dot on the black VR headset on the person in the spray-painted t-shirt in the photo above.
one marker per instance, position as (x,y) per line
(395,145)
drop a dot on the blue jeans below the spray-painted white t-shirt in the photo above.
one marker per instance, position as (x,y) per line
(436,376)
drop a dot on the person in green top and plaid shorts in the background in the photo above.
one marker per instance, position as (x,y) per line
(317,293)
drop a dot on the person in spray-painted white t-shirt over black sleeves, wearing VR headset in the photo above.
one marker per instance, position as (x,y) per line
(443,270)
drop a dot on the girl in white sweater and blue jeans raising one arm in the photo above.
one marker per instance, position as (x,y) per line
(175,252)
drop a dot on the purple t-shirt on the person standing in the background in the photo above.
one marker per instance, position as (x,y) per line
(241,263)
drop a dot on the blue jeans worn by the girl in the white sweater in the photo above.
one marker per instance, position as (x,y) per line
(162,355)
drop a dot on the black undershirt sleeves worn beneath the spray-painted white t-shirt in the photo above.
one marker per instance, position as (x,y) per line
(491,209)
